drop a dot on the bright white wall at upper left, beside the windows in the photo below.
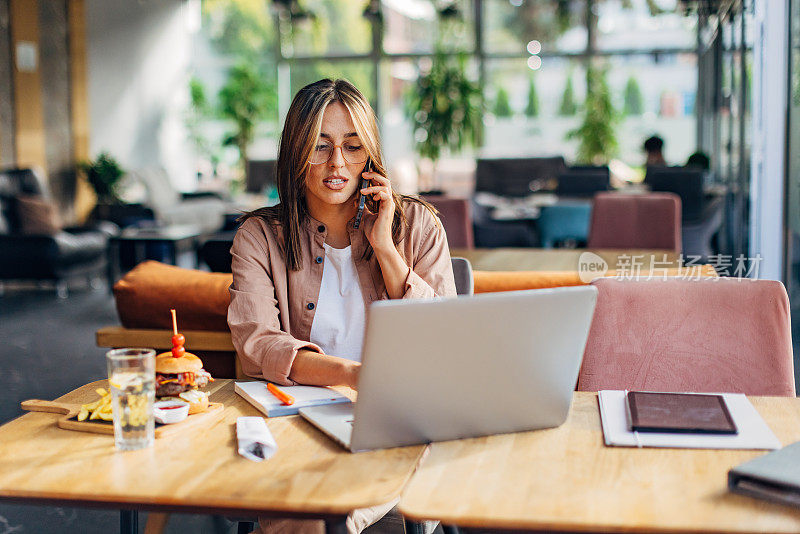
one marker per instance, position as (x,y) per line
(139,55)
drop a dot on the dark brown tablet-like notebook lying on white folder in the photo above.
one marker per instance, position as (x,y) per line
(679,412)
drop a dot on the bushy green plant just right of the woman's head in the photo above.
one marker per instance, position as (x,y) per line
(445,107)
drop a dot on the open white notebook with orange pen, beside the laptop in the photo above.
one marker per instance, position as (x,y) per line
(258,395)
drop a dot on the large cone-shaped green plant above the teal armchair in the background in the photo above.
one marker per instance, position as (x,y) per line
(598,142)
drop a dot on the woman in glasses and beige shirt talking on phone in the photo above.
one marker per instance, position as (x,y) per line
(303,274)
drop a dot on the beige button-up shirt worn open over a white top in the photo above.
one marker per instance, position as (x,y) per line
(272,307)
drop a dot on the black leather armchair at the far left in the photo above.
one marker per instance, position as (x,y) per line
(67,253)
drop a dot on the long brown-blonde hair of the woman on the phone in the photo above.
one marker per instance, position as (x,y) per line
(300,133)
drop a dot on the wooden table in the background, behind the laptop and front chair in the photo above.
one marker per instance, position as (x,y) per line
(544,259)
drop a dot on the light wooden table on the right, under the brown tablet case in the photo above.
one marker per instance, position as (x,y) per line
(565,479)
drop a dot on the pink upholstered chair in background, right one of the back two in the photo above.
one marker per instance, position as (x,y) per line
(646,221)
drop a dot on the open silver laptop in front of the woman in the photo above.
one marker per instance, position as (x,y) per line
(435,370)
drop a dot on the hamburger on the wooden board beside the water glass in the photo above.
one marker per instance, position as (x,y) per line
(181,377)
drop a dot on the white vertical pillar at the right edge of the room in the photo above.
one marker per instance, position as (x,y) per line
(770,68)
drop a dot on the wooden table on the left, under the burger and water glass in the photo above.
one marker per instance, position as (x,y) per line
(200,471)
